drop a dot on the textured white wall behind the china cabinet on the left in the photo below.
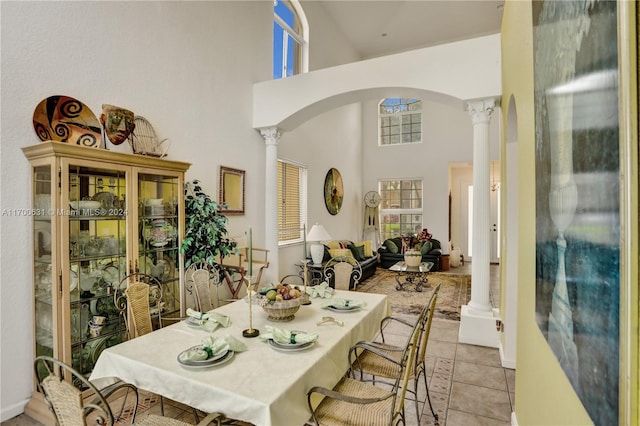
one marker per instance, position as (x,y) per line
(188,67)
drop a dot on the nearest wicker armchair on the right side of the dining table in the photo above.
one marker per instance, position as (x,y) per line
(353,402)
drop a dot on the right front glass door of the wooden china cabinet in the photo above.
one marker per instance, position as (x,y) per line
(158,224)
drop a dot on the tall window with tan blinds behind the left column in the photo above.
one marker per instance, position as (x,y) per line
(292,201)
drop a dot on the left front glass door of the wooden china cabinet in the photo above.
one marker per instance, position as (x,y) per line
(97,238)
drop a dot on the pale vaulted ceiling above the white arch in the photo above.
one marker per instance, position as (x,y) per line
(377,28)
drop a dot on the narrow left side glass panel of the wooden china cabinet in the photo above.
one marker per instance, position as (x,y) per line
(44,273)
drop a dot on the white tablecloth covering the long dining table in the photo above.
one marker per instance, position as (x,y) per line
(261,385)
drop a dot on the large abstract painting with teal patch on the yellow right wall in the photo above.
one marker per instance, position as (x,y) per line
(578,220)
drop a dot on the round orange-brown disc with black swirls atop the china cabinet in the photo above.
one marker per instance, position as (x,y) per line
(65,119)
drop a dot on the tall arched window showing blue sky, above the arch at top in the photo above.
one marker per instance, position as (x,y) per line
(290,33)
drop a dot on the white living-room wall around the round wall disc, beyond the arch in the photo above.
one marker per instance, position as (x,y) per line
(330,139)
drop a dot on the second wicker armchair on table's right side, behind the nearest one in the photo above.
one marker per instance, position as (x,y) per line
(365,357)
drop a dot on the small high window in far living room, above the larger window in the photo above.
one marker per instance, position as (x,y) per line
(400,121)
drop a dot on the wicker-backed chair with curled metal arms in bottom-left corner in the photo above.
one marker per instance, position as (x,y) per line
(55,380)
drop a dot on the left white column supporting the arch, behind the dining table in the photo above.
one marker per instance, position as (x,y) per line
(271,137)
